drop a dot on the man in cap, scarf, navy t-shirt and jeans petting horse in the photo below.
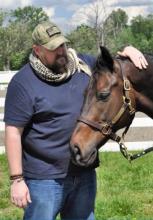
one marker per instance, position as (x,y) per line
(43,102)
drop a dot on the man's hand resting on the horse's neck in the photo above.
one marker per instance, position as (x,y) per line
(135,56)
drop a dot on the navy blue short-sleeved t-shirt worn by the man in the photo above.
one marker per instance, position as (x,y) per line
(48,113)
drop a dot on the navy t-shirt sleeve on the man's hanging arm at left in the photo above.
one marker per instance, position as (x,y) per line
(18,105)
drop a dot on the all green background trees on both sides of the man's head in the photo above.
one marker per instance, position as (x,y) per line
(15,35)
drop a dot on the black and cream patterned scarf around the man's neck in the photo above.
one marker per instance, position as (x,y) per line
(74,64)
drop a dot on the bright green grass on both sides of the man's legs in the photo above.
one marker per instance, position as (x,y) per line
(124,190)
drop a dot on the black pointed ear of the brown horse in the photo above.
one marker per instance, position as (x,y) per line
(106,58)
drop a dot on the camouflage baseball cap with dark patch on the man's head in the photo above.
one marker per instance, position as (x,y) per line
(48,35)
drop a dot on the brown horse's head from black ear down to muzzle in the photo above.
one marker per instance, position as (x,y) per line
(103,102)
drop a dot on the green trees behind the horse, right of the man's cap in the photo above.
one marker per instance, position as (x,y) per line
(117,34)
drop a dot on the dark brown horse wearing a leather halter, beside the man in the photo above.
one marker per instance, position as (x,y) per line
(117,89)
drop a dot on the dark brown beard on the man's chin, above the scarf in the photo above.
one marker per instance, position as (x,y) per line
(60,65)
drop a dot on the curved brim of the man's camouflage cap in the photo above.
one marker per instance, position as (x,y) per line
(55,43)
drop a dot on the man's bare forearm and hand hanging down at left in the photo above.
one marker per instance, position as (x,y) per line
(19,191)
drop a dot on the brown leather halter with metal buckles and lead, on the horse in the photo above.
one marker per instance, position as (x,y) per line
(106,128)
